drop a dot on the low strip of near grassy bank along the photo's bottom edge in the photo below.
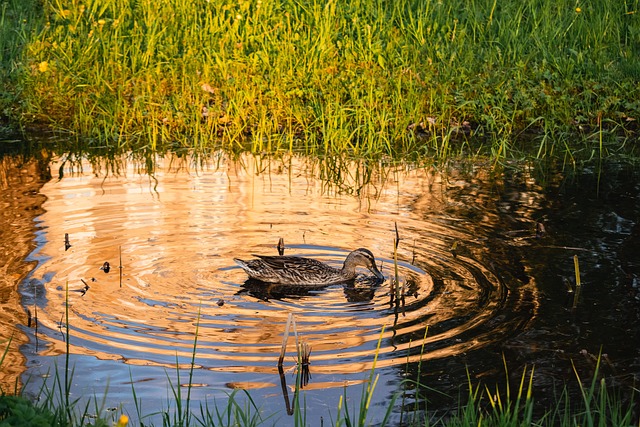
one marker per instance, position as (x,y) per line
(487,406)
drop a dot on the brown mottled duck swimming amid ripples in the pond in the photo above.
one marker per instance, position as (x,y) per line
(293,270)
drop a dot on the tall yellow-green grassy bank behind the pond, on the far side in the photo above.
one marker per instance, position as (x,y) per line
(367,77)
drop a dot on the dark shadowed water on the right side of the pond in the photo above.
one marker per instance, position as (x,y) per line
(594,216)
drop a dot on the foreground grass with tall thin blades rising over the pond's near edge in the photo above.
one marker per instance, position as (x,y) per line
(483,405)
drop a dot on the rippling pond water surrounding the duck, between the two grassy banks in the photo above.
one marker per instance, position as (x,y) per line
(484,264)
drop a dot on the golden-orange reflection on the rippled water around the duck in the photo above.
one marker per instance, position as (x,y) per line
(175,235)
